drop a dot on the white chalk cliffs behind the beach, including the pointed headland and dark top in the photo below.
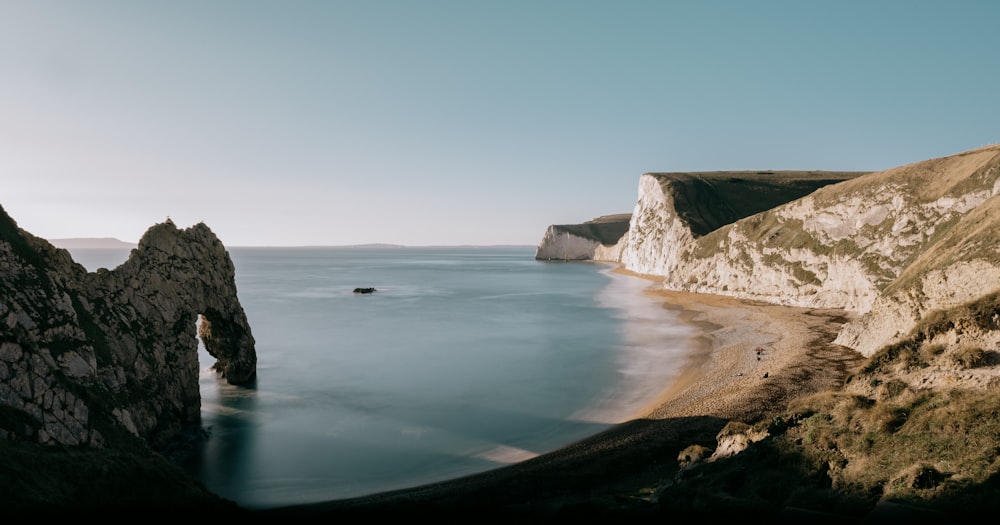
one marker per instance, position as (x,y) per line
(887,246)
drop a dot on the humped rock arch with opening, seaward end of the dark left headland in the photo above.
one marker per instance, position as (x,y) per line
(172,277)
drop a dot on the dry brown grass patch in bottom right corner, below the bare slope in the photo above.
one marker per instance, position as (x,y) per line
(837,453)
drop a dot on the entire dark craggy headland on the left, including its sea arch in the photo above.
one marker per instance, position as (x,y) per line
(92,359)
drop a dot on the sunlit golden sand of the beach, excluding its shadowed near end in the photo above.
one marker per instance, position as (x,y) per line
(724,373)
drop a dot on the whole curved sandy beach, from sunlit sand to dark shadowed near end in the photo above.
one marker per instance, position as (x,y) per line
(747,360)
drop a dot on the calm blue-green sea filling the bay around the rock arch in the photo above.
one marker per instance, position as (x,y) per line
(463,359)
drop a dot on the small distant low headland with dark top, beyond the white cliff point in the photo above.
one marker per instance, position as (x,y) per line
(594,239)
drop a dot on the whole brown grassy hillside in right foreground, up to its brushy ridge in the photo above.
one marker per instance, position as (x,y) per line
(842,452)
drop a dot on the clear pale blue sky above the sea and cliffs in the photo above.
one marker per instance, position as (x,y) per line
(427,122)
